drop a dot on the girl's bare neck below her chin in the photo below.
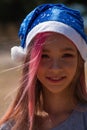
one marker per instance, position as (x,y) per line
(59,102)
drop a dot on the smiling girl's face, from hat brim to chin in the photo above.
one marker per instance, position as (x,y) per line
(58,63)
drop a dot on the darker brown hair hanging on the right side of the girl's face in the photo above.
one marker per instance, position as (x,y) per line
(80,90)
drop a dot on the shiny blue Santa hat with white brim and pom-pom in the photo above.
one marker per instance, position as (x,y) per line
(55,18)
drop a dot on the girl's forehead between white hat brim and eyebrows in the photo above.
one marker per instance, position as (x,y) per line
(57,41)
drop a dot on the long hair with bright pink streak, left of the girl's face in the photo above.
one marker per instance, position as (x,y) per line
(23,107)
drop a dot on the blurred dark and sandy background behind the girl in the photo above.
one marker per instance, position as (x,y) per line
(12,12)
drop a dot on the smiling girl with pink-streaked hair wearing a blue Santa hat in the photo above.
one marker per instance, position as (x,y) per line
(52,94)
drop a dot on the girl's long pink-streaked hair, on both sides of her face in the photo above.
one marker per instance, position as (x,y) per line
(28,101)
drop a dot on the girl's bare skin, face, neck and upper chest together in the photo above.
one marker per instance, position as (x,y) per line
(56,71)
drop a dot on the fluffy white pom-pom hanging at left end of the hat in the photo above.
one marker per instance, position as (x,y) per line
(17,53)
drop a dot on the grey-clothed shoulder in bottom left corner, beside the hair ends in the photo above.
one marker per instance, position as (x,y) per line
(7,125)
